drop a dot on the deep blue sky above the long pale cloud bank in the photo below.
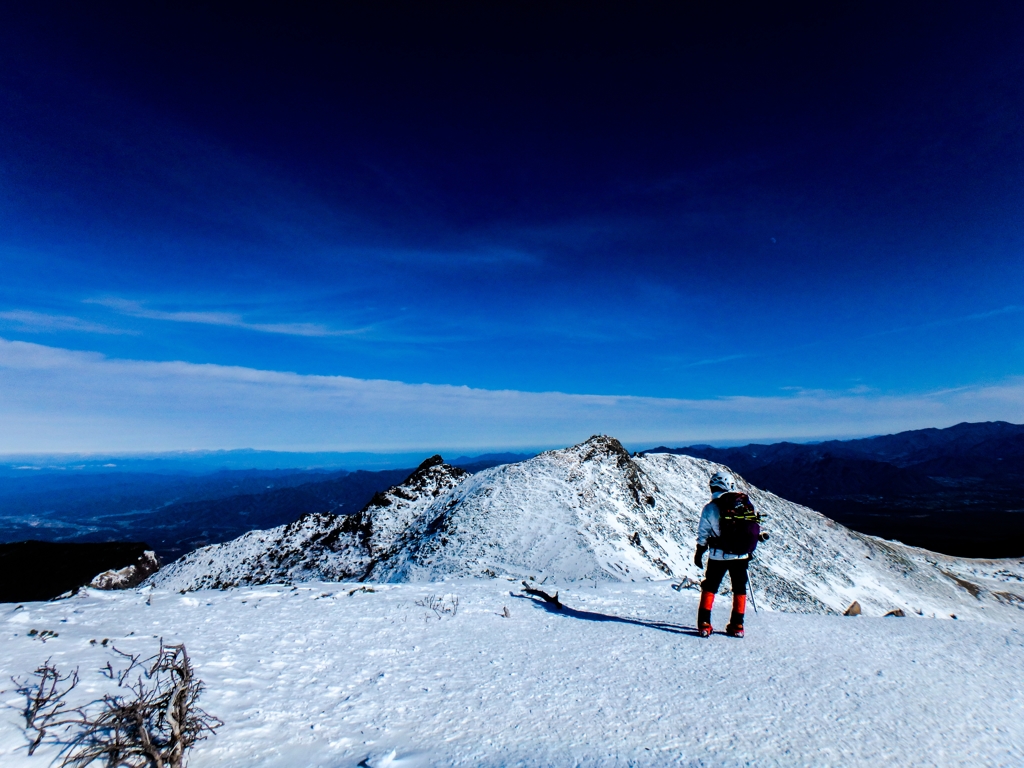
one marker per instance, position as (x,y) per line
(507,197)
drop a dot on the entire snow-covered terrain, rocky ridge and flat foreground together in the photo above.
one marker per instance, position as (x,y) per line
(319,646)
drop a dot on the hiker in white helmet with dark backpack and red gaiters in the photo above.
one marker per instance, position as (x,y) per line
(731,528)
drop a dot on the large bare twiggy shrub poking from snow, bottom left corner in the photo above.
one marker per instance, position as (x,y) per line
(153,723)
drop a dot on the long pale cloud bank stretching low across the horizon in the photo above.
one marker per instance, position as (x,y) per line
(55,400)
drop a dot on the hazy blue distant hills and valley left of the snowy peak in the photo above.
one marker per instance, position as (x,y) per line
(176,514)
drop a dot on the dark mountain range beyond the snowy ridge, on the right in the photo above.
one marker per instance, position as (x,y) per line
(958,491)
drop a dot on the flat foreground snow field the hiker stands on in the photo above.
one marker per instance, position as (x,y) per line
(315,676)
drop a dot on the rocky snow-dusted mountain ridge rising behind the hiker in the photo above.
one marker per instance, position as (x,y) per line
(594,513)
